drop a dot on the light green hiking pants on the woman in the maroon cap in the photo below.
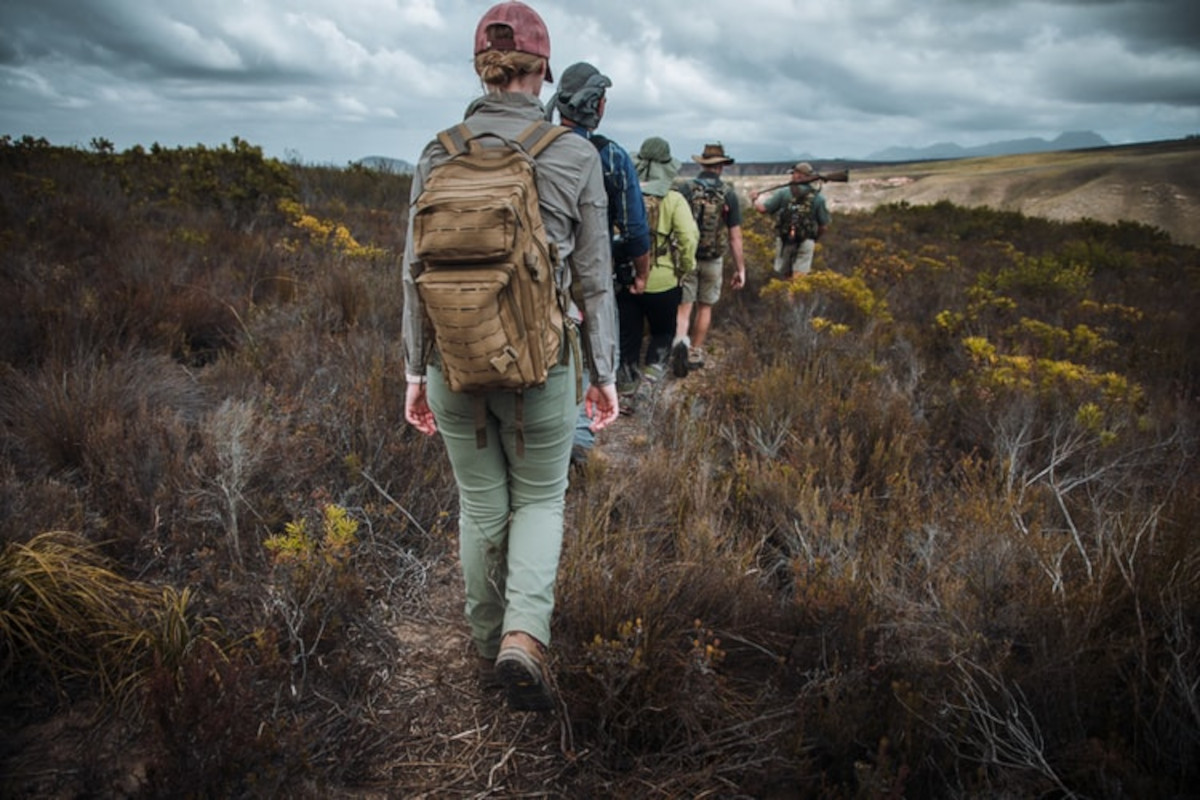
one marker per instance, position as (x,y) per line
(511,522)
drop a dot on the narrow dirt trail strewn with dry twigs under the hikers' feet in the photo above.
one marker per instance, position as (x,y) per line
(470,744)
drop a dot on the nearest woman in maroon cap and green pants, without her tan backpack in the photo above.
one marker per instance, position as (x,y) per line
(511,524)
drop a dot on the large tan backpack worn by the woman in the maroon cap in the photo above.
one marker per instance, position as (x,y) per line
(484,268)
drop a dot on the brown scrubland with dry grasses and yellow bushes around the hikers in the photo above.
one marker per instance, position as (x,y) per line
(925,530)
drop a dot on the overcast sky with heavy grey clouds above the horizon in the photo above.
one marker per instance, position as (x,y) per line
(332,81)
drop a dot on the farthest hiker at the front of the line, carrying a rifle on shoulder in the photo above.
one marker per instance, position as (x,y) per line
(801,219)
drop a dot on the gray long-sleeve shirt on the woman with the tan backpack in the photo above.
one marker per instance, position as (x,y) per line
(574,209)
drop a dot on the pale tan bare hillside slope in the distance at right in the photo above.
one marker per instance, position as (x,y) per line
(1154,184)
